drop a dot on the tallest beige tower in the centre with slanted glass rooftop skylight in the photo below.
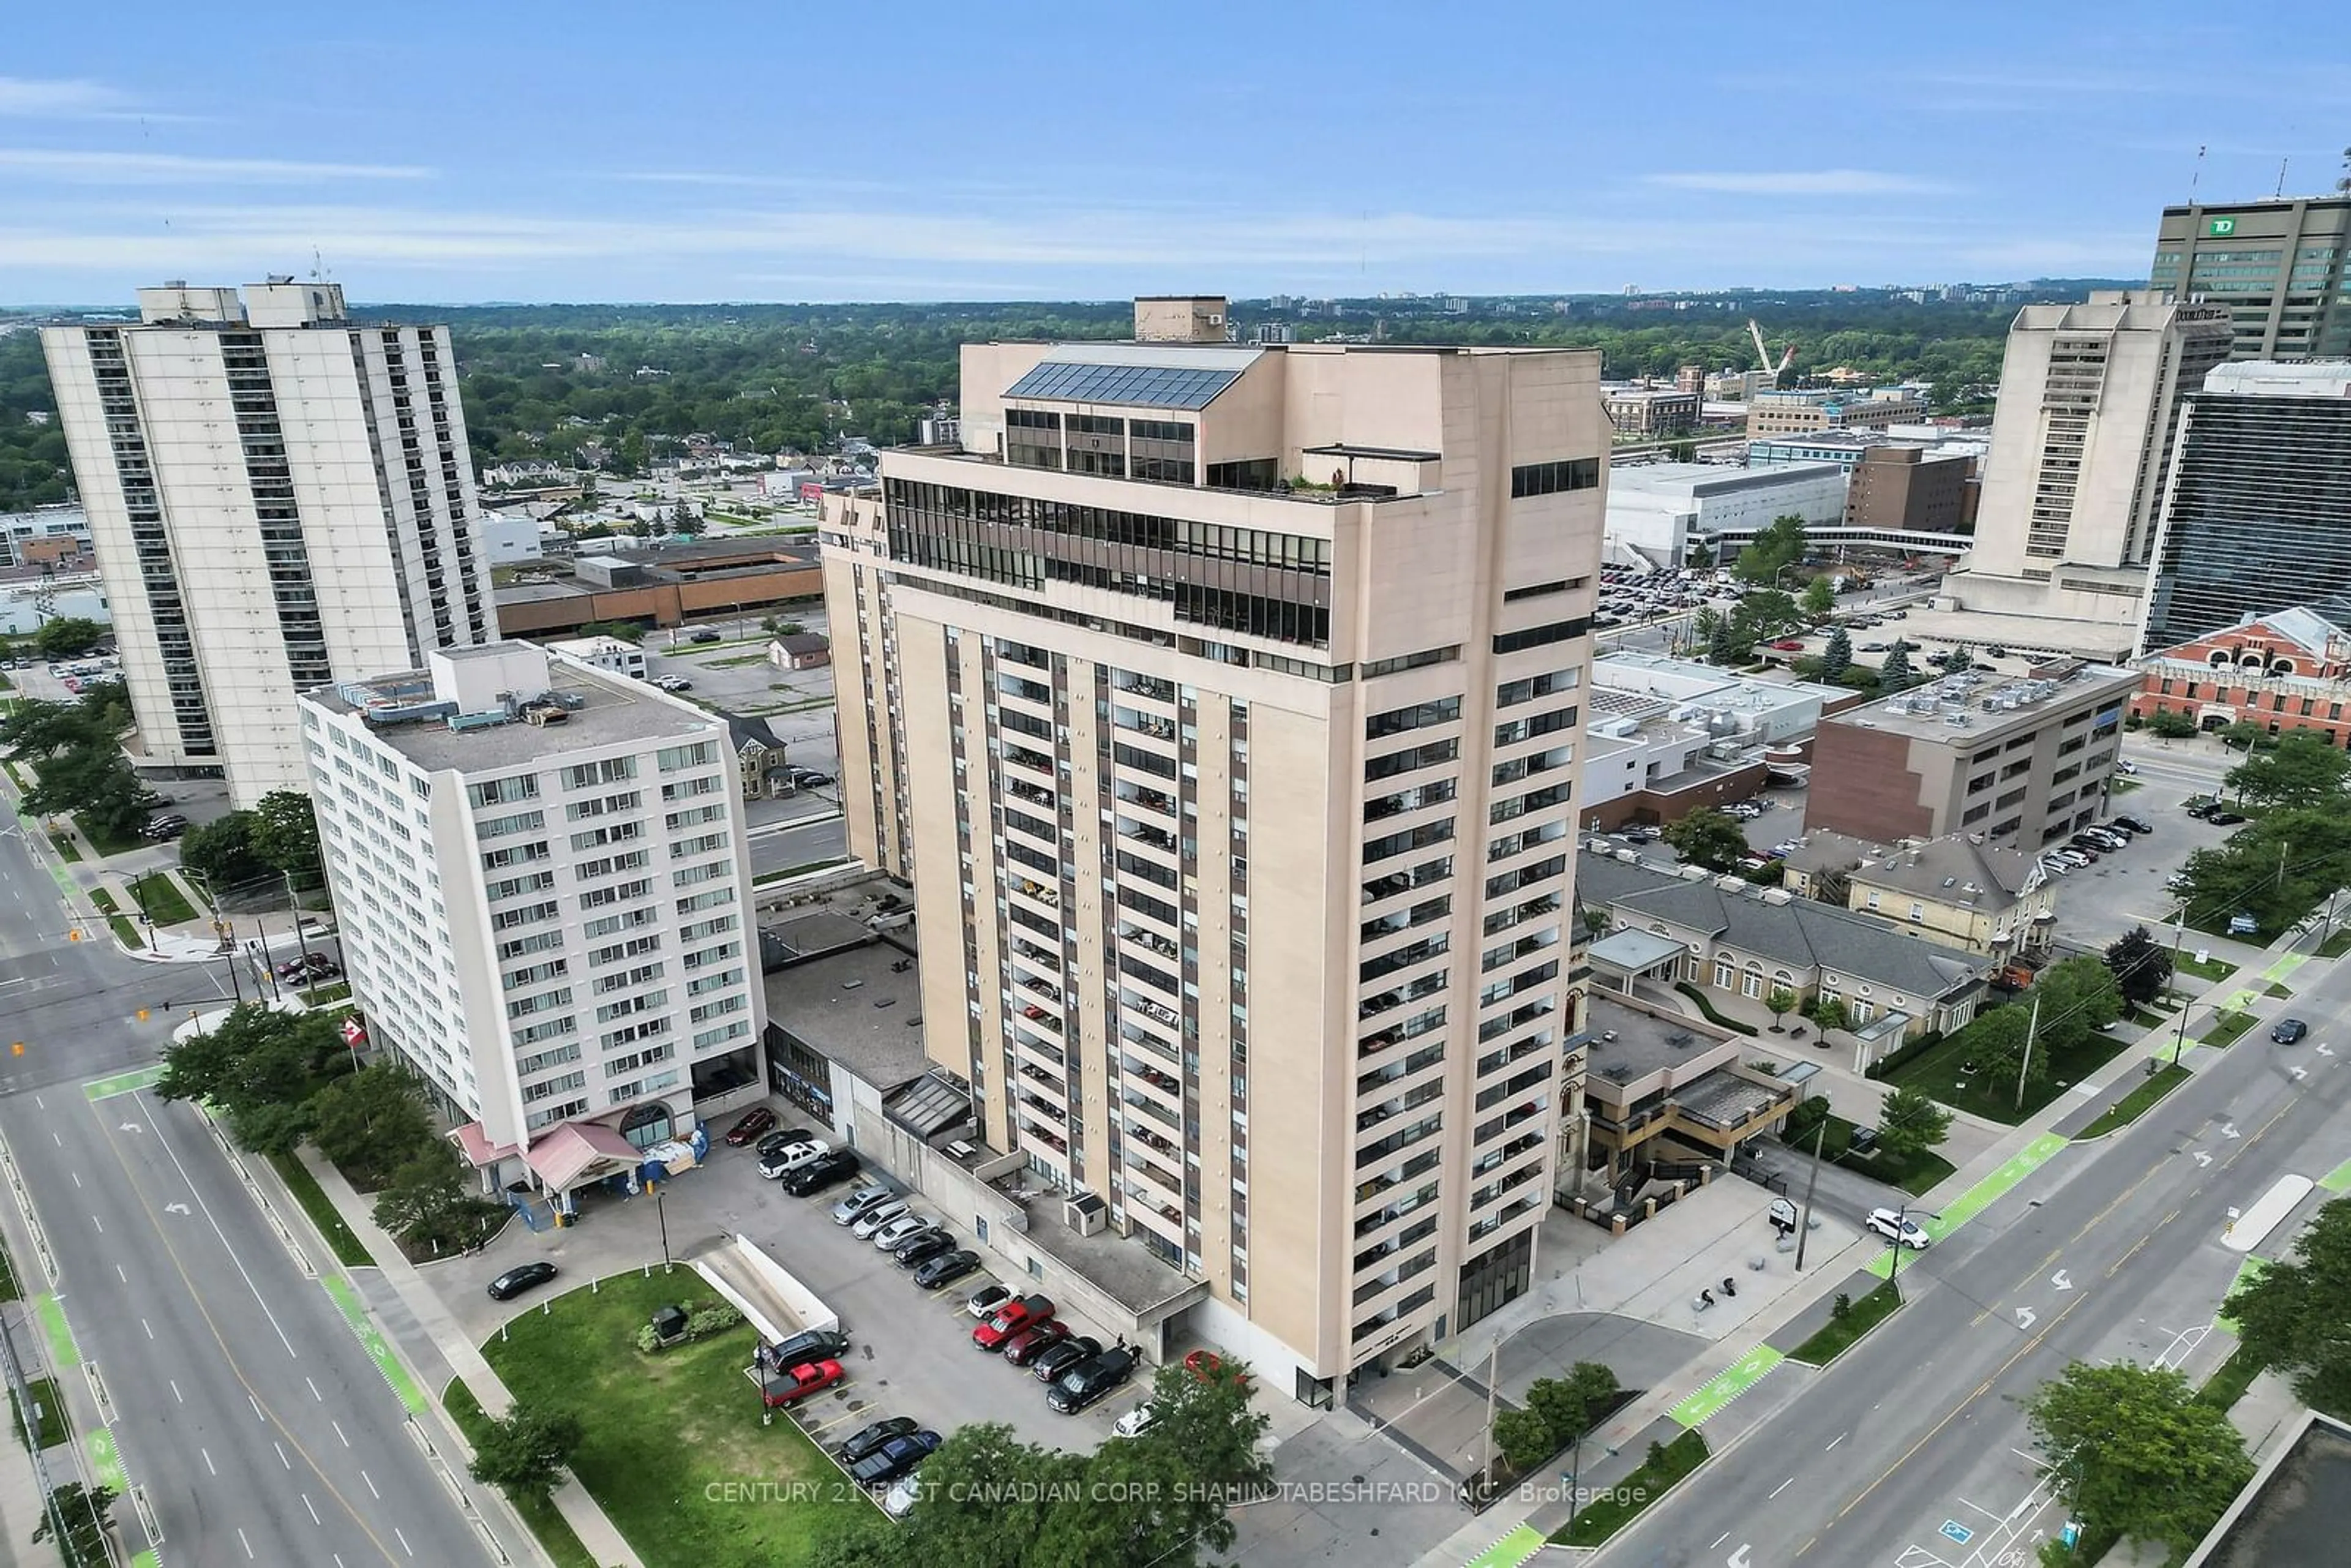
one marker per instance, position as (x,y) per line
(1224,709)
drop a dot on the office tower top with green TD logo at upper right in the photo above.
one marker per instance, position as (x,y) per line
(2282,269)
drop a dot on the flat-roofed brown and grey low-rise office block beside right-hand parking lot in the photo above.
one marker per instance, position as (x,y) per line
(2018,763)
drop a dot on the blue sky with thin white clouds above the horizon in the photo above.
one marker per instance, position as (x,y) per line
(516,149)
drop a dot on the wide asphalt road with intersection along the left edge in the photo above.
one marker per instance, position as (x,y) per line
(239,1395)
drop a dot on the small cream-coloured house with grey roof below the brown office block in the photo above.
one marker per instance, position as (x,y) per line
(1960,890)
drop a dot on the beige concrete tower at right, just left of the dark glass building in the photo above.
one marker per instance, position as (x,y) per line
(2084,434)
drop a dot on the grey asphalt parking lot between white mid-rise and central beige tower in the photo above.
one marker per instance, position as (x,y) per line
(911,1351)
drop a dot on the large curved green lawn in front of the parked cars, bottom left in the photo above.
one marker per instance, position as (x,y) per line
(664,1428)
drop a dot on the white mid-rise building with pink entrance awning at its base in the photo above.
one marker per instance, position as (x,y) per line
(544,894)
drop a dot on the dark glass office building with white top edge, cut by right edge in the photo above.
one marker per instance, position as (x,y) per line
(2258,509)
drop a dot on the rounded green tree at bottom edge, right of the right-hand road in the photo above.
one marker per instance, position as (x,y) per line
(2134,1452)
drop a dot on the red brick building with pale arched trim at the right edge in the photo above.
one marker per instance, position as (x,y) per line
(2286,671)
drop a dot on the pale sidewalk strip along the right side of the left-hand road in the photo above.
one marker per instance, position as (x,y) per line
(431,1343)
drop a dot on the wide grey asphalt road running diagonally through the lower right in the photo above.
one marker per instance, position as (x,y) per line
(1910,1449)
